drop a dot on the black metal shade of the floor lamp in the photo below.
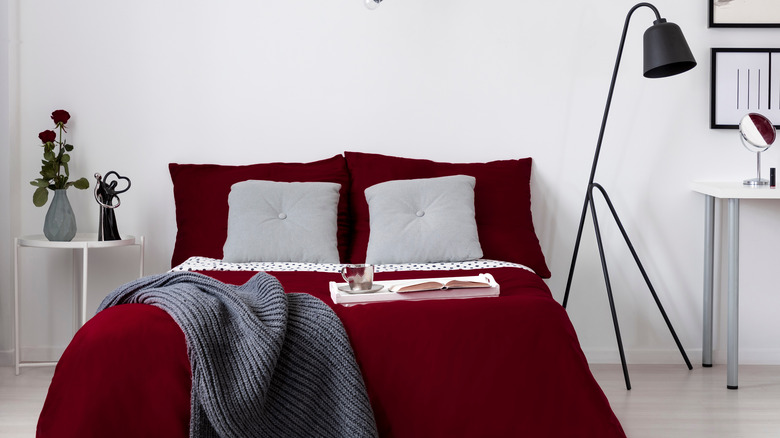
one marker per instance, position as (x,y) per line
(666,51)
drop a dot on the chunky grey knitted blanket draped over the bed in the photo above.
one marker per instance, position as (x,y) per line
(264,363)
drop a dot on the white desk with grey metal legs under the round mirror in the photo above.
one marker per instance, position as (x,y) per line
(733,192)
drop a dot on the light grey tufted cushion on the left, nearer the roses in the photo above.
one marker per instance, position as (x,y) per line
(282,222)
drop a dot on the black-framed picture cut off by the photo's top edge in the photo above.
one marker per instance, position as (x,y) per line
(744,13)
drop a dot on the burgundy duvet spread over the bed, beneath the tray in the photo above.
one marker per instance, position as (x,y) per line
(509,366)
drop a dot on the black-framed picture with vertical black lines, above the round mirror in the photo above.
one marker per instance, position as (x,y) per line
(744,81)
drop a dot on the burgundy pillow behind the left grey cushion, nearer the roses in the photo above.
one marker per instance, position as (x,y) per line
(200,192)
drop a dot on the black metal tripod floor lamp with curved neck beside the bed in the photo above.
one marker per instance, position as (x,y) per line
(666,53)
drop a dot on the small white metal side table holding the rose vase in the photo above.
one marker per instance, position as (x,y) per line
(83,242)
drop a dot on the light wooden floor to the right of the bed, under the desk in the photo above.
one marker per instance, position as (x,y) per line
(671,401)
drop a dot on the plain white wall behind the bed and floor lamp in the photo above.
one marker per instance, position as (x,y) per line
(240,81)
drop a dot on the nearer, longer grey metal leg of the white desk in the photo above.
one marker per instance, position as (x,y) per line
(733,299)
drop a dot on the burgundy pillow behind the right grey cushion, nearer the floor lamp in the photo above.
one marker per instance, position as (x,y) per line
(502,199)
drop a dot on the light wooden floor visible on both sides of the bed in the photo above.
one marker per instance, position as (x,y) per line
(665,401)
